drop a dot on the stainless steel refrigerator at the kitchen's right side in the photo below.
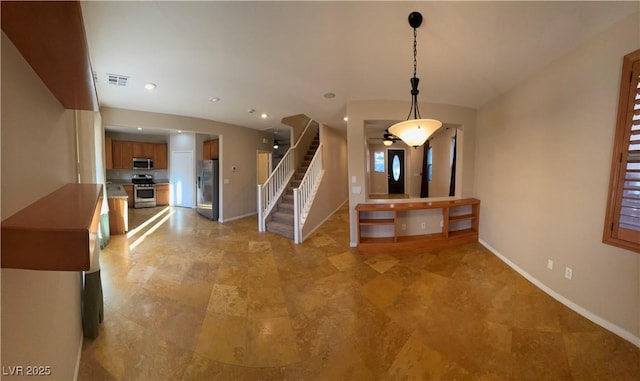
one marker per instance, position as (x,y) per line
(207,184)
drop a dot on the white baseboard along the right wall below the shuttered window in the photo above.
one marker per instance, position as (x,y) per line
(579,309)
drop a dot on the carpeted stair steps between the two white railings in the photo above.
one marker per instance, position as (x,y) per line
(281,220)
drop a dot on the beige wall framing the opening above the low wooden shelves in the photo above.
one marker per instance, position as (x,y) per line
(359,111)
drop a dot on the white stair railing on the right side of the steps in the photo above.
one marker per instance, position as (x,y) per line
(303,195)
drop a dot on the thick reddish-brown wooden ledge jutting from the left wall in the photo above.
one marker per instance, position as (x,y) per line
(55,233)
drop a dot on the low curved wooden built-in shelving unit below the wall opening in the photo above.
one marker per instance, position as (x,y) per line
(460,223)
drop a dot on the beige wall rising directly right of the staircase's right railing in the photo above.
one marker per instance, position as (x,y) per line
(333,189)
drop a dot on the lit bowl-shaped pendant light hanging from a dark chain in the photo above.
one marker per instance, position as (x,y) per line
(415,131)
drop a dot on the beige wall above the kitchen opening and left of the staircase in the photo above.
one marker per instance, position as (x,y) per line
(238,147)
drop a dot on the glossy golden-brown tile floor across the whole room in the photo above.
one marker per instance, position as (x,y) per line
(199,300)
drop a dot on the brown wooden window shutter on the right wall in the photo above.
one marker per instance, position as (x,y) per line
(622,225)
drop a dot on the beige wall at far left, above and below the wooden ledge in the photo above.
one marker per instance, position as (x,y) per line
(40,309)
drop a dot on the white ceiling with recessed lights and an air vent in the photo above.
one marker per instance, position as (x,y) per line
(281,57)
